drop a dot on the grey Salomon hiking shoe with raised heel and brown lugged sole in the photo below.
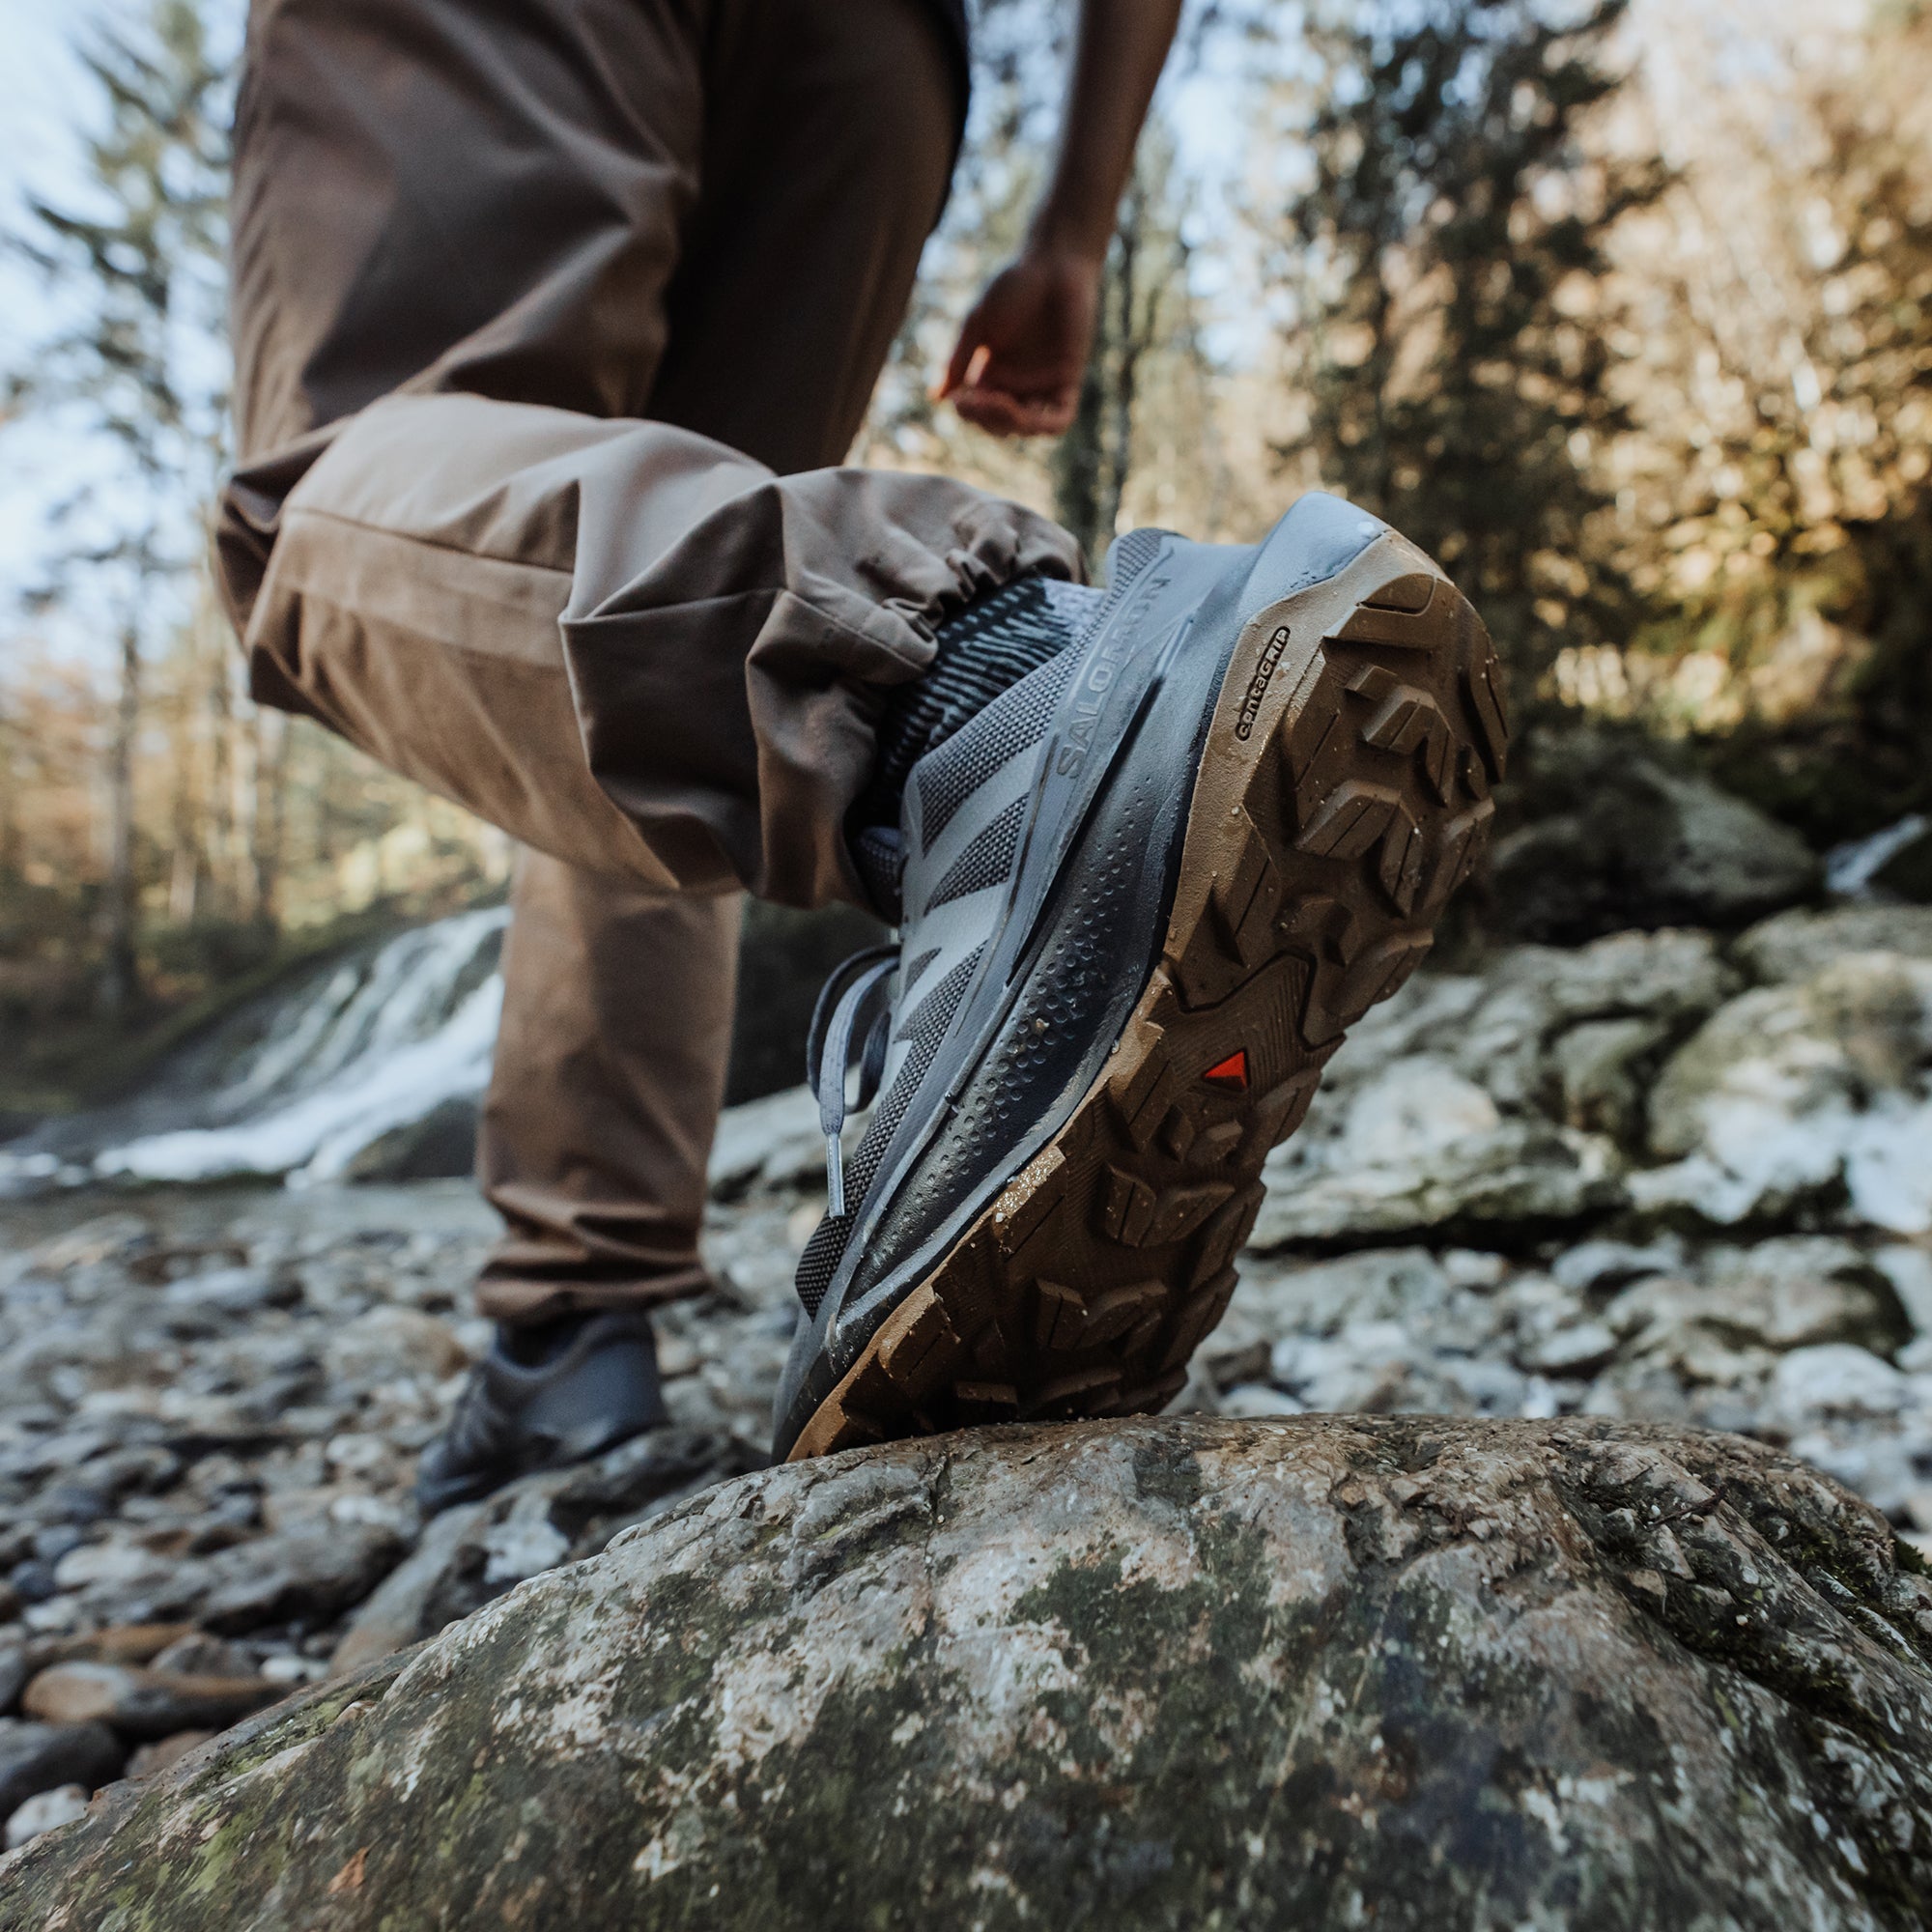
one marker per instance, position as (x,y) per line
(1143,895)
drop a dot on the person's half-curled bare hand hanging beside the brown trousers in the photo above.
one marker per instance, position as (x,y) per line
(1023,351)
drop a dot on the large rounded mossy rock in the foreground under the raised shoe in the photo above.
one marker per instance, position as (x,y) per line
(1411,1674)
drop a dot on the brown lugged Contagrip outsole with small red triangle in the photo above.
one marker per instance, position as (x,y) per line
(1344,795)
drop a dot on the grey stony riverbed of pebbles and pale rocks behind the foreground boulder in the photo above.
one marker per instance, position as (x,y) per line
(1662,1178)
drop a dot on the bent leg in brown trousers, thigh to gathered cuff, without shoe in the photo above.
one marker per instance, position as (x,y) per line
(627,644)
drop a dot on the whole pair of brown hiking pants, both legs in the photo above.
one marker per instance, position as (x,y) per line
(548,320)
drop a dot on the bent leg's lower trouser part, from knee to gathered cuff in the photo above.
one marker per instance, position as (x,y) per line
(623,644)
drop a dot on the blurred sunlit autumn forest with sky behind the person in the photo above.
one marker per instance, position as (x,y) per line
(1622,310)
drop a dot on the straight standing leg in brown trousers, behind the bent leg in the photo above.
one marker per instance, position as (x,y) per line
(828,144)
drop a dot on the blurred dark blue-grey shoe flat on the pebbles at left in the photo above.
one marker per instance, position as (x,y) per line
(546,1402)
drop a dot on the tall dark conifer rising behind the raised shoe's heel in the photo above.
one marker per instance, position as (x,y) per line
(1454,347)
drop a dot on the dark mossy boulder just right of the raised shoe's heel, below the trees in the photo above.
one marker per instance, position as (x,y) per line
(1634,843)
